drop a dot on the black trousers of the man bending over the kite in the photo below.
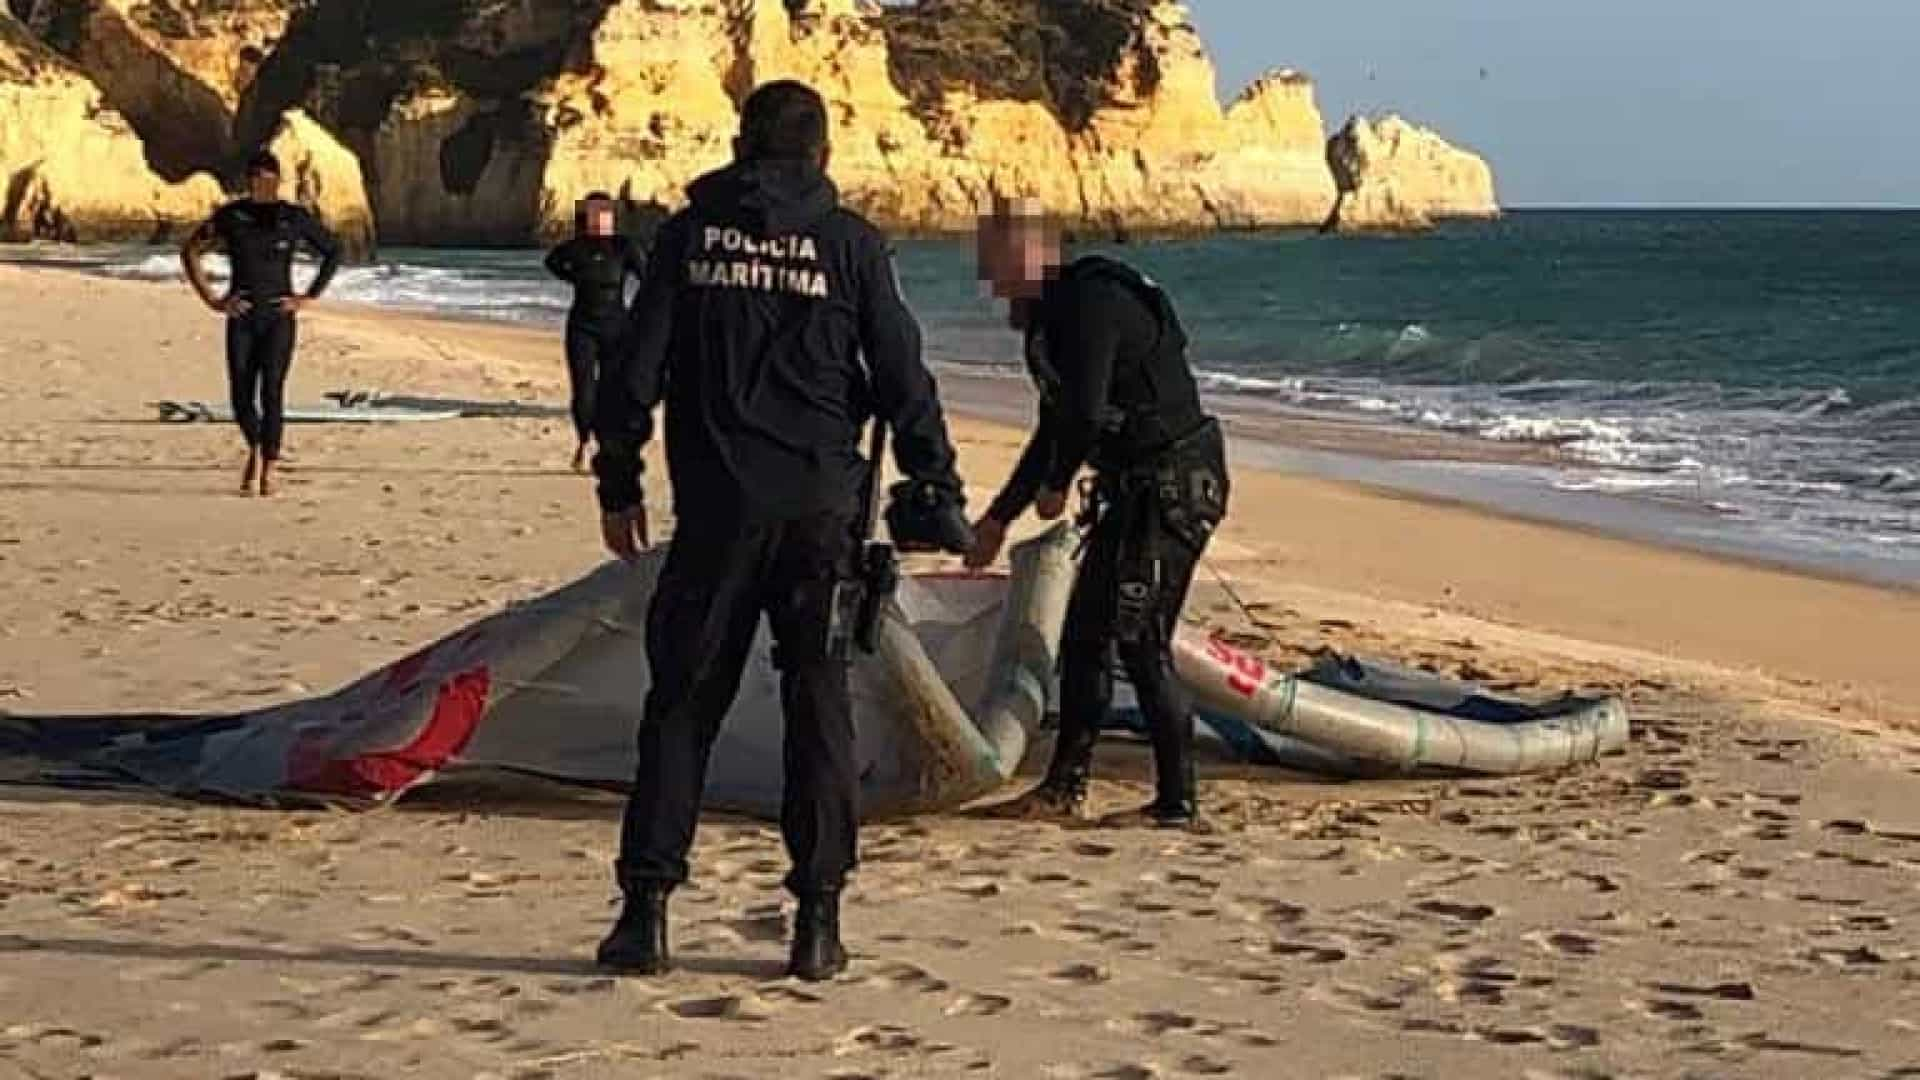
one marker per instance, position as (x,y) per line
(1151,529)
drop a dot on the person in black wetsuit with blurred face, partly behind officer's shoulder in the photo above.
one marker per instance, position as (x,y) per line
(596,262)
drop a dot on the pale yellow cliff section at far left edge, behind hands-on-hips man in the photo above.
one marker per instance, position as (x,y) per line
(70,168)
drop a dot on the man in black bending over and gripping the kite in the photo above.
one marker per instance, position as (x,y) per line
(1118,395)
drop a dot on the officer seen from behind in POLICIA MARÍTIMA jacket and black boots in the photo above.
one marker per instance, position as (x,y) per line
(773,328)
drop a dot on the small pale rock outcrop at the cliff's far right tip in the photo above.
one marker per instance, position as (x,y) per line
(1395,176)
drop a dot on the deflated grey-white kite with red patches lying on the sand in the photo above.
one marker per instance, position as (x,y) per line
(946,708)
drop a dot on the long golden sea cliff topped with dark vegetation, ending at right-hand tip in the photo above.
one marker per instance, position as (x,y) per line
(481,122)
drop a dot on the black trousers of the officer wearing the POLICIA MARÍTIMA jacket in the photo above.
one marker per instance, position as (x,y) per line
(719,579)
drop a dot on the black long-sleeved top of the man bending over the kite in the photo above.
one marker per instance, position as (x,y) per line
(1109,356)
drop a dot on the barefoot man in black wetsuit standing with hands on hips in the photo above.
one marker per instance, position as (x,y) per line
(260,235)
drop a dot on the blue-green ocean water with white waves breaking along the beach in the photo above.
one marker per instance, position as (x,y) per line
(1754,372)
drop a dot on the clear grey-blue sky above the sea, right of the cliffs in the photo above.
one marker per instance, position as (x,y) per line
(1623,103)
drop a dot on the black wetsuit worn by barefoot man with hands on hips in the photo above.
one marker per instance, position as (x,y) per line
(260,241)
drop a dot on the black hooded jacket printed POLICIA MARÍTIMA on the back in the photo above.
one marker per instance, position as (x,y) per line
(773,328)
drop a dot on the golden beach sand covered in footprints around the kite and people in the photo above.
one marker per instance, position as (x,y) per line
(1737,896)
